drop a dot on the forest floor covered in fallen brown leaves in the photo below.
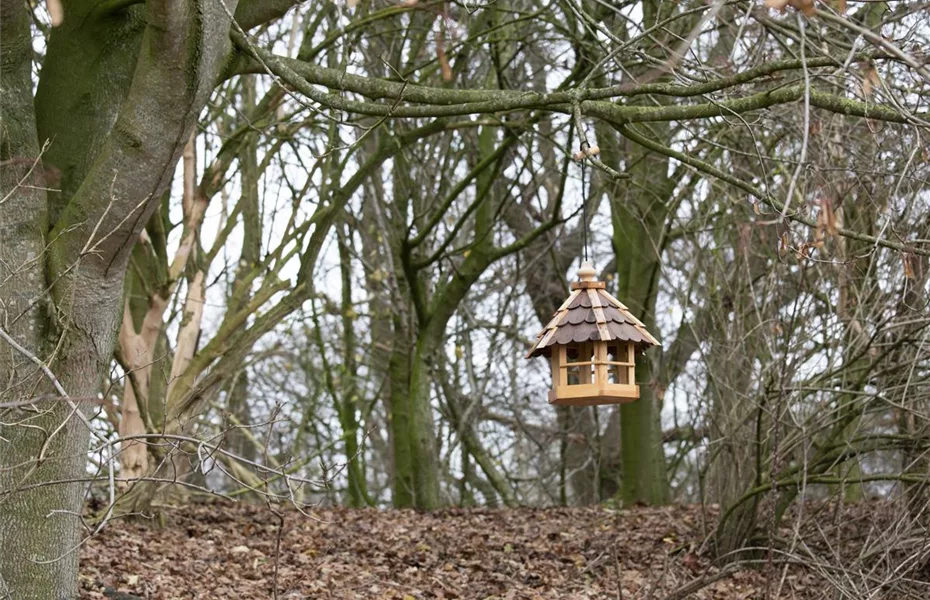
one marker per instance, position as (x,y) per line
(222,551)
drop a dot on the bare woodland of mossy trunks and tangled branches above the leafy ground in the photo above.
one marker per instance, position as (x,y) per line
(294,253)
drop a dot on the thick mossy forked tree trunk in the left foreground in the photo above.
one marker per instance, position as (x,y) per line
(115,157)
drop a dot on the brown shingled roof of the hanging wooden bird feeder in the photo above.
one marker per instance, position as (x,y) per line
(590,314)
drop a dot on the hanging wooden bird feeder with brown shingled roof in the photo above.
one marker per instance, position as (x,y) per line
(592,342)
